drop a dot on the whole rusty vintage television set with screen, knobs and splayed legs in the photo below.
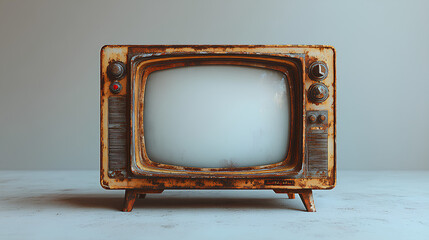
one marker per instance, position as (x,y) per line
(218,117)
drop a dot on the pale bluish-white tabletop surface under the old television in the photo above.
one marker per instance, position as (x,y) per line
(72,205)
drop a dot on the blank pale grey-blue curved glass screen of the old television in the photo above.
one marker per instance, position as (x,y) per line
(216,116)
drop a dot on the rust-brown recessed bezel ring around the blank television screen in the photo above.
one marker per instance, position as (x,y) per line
(143,65)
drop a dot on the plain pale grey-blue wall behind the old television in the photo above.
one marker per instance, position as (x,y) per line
(49,69)
